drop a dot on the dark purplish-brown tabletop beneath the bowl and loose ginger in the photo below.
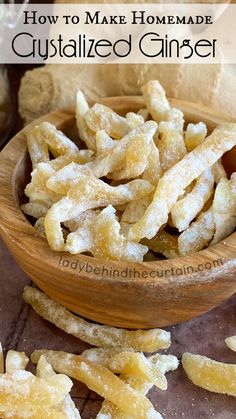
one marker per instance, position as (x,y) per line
(22,329)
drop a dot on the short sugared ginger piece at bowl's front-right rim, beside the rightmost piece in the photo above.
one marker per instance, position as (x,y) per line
(198,234)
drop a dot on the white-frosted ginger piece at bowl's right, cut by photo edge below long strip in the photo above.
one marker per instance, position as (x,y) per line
(224,208)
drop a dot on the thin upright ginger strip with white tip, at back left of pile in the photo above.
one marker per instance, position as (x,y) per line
(85,133)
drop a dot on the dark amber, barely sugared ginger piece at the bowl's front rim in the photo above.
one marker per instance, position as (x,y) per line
(163,243)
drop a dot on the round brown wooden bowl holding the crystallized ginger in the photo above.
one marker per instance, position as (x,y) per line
(123,294)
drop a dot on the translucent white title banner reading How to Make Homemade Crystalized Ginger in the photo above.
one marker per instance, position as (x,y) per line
(121,33)
